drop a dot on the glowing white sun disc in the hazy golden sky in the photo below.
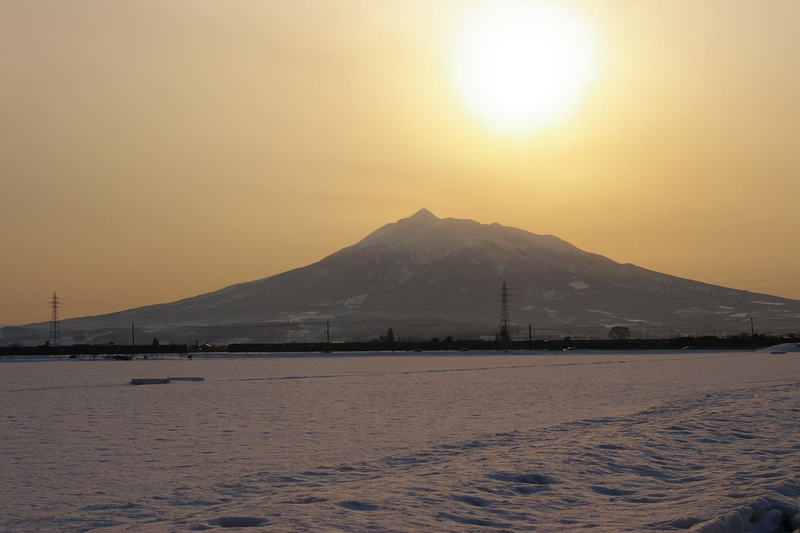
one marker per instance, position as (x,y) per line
(522,65)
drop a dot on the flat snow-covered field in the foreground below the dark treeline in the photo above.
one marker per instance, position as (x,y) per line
(600,441)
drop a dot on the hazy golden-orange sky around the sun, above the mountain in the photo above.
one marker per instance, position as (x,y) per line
(152,150)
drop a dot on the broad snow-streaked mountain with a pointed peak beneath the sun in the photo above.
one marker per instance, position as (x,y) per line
(426,276)
